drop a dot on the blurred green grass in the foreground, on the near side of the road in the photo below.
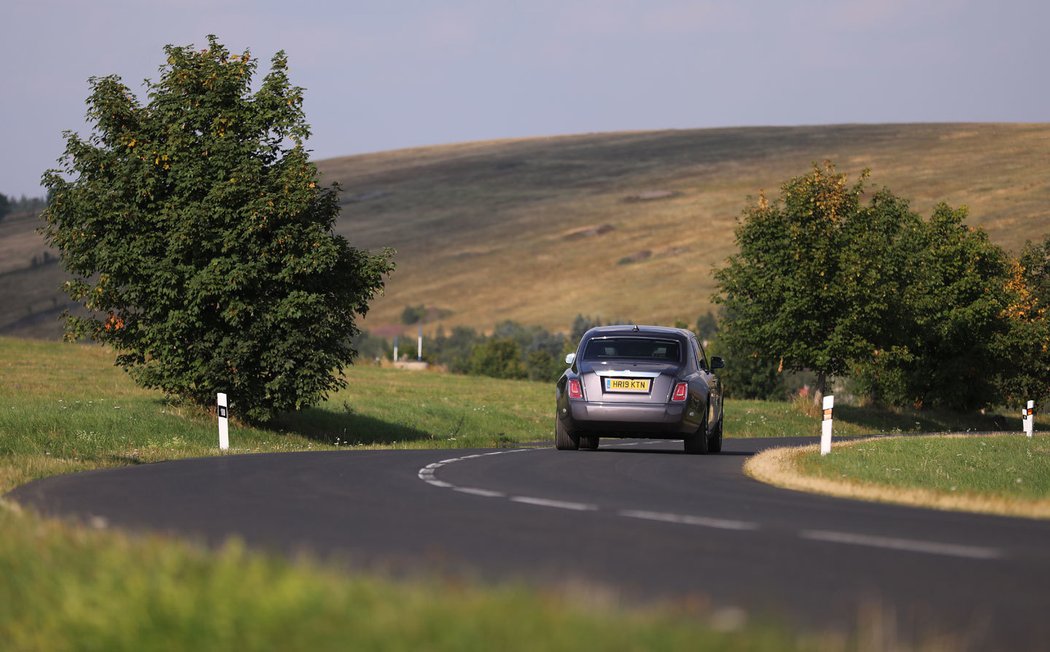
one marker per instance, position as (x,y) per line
(75,590)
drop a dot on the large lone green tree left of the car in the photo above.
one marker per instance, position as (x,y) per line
(201,241)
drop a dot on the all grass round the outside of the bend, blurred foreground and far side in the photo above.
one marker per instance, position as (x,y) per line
(65,408)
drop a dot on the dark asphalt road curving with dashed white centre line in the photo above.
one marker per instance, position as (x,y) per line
(638,518)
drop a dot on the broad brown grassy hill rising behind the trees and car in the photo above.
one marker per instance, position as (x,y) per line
(631,225)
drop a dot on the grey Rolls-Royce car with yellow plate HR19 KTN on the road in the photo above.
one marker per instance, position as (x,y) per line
(640,382)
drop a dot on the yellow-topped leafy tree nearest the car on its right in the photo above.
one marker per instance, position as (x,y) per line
(804,289)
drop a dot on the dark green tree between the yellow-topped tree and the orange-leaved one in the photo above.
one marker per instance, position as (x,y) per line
(951,314)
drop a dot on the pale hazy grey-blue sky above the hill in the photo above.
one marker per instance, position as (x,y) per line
(392,74)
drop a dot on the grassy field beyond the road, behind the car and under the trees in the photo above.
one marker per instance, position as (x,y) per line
(66,408)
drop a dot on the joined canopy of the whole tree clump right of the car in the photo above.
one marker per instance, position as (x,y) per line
(845,282)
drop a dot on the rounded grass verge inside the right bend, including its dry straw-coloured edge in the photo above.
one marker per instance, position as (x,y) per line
(1007,475)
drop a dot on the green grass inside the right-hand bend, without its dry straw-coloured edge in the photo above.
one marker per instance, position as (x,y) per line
(1009,467)
